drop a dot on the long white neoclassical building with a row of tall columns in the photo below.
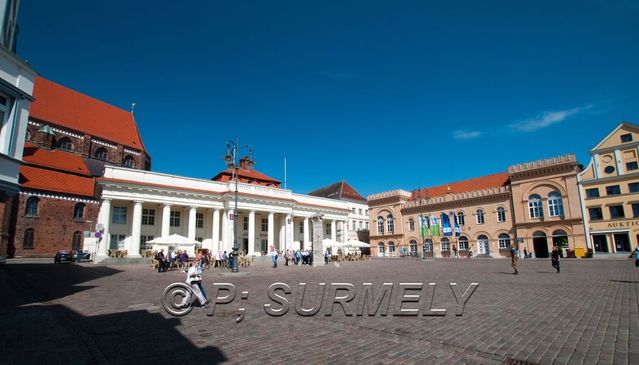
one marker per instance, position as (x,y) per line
(137,206)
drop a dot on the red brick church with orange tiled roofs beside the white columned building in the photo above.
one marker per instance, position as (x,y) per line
(69,139)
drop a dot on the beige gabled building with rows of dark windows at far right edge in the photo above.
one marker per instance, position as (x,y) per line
(610,192)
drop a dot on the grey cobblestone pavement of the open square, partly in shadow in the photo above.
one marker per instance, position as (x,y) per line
(81,314)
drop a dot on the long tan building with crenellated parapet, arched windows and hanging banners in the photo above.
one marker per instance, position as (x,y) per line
(535,204)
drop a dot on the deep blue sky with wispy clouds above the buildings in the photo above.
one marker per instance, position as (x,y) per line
(382,94)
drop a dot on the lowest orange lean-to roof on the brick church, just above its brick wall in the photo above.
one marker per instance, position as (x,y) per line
(49,180)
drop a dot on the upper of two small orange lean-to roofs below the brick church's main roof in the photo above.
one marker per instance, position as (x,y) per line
(58,160)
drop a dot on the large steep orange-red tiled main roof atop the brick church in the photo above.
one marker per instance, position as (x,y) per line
(59,105)
